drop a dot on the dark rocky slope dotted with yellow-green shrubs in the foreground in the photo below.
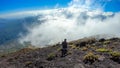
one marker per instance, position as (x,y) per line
(82,53)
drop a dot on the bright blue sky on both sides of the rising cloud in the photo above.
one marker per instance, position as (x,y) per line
(20,5)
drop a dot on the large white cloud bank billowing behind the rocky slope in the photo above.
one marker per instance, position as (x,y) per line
(72,22)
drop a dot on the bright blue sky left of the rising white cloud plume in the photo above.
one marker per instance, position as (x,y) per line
(18,5)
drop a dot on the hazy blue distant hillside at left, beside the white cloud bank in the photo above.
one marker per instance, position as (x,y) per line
(10,28)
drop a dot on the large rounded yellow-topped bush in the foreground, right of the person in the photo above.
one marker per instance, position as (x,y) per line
(90,58)
